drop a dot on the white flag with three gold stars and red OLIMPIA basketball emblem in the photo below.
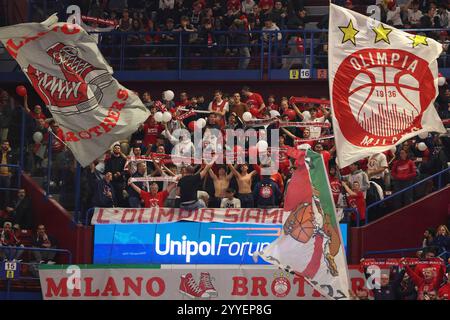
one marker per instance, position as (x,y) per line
(383,84)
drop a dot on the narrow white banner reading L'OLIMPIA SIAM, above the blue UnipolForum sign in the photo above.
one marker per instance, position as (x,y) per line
(166,215)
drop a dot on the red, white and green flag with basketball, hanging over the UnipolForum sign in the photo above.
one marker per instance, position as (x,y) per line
(311,244)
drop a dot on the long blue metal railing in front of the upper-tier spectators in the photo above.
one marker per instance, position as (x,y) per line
(263,54)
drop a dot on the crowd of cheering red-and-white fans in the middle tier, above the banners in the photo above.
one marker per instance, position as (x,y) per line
(106,183)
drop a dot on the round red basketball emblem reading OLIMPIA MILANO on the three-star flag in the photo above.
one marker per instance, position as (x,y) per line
(383,93)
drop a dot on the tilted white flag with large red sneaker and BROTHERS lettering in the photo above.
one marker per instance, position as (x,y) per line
(65,67)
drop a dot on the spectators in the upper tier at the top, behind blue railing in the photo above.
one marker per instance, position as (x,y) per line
(236,30)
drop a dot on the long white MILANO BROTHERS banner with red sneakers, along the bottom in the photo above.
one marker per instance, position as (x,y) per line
(171,282)
